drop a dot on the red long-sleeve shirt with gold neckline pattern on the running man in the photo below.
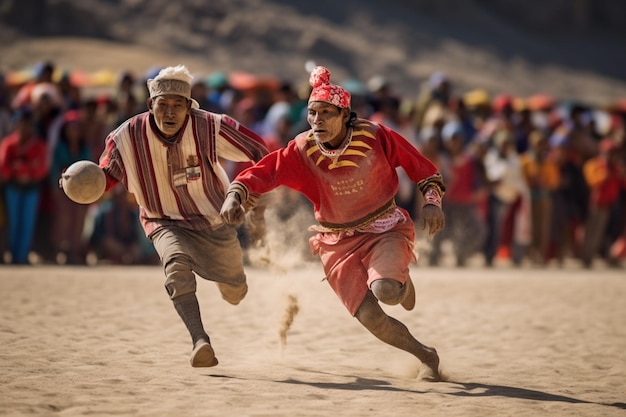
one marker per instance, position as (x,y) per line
(347,190)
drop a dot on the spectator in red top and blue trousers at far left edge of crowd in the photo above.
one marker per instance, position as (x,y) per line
(23,168)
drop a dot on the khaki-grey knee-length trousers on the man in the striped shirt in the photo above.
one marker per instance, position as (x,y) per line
(214,255)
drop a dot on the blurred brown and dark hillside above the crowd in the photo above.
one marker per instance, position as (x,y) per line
(571,49)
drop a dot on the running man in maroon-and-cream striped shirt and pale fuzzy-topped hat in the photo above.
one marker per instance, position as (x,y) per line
(169,158)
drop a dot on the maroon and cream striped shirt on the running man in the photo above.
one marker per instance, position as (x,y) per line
(179,182)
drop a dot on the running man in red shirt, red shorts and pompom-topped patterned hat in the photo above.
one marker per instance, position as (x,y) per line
(347,168)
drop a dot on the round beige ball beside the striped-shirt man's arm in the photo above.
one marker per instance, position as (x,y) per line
(84,182)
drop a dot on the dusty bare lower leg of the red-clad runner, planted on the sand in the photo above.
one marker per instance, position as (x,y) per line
(394,333)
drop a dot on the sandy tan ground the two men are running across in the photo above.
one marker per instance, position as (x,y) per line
(106,341)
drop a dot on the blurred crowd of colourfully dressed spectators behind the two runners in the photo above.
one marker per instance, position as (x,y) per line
(533,180)
